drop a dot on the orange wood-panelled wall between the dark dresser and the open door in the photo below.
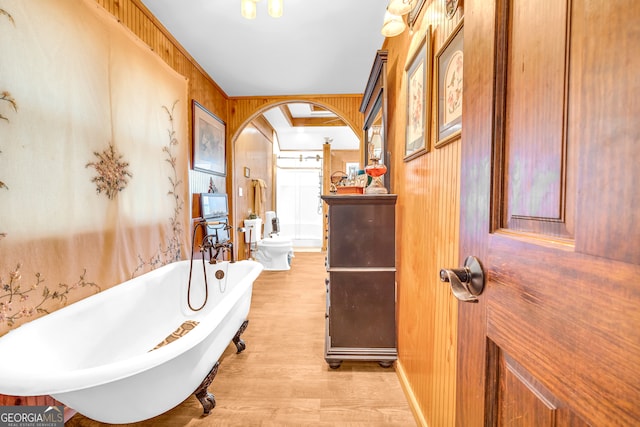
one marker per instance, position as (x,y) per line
(428,191)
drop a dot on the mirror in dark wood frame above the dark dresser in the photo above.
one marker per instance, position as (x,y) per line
(374,108)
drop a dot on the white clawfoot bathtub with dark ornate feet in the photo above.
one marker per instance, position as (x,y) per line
(100,356)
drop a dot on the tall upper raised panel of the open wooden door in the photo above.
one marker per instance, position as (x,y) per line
(535,112)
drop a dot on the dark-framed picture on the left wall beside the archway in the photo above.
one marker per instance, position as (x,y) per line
(209,142)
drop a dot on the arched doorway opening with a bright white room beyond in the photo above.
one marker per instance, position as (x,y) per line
(282,145)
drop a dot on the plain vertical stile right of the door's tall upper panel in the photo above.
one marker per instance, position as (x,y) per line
(604,122)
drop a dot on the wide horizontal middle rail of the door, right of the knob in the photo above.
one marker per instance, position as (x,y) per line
(564,317)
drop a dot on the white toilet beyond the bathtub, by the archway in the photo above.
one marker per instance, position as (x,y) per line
(273,251)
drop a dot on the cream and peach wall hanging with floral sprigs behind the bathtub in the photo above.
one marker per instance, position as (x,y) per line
(93,157)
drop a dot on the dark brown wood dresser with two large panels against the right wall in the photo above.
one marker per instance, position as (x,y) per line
(361,286)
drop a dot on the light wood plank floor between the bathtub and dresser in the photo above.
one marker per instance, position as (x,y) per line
(281,379)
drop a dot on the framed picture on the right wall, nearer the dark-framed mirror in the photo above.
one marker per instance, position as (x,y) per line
(417,77)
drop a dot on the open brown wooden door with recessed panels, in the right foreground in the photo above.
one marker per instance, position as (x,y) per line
(550,205)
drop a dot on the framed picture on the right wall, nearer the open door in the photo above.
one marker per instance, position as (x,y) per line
(449,65)
